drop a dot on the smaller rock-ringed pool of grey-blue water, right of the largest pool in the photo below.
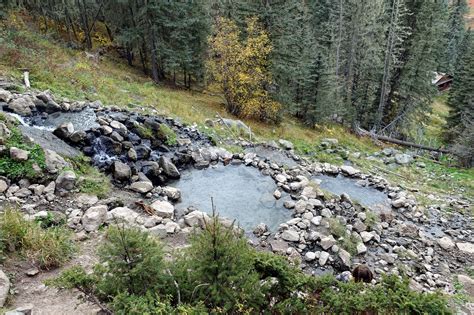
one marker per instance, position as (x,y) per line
(366,196)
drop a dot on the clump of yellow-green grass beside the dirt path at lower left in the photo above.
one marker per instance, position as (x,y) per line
(46,248)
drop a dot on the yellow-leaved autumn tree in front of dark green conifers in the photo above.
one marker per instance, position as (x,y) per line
(241,69)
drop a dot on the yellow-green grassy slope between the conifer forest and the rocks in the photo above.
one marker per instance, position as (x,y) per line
(68,73)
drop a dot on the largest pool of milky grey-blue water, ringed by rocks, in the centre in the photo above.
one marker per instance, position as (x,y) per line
(239,192)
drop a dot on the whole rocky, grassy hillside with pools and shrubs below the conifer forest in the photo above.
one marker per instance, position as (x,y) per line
(105,177)
